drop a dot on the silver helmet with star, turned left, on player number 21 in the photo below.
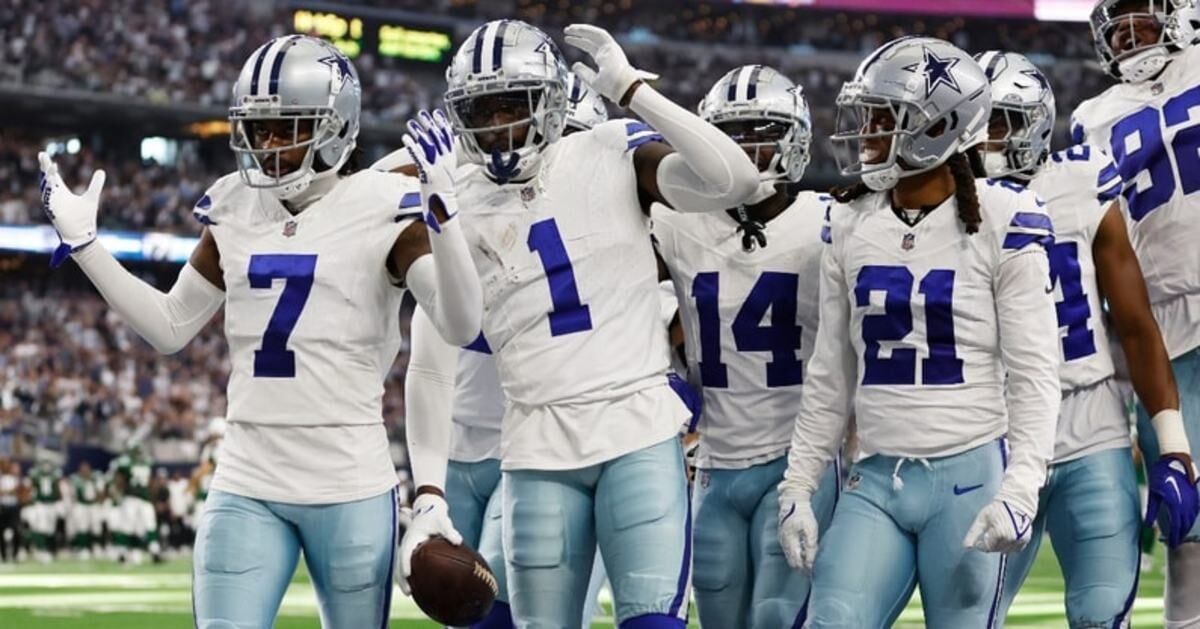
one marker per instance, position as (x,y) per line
(913,104)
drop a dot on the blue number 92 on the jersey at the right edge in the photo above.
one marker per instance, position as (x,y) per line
(1138,148)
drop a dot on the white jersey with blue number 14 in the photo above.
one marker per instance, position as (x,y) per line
(749,320)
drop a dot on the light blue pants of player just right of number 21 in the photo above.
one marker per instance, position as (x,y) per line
(1093,512)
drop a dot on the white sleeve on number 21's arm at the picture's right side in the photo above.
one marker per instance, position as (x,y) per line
(1029,346)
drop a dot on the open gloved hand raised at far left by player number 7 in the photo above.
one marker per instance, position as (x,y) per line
(73,215)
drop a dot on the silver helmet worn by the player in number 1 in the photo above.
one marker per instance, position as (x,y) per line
(507,79)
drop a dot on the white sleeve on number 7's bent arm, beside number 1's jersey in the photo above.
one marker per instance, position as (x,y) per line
(447,285)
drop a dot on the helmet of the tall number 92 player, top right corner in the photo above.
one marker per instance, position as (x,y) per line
(1127,57)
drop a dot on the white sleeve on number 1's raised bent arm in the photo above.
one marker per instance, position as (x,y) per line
(709,172)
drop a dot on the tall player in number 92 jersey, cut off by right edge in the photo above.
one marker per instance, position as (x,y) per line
(1149,124)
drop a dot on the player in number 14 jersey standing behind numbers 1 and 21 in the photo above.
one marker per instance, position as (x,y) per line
(730,269)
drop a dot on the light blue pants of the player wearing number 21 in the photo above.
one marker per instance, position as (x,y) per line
(901,523)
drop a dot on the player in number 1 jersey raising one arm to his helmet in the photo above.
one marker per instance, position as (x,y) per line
(590,448)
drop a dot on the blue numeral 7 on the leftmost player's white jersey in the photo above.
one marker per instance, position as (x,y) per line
(275,361)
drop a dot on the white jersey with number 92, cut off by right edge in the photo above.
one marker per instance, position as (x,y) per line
(1151,133)
